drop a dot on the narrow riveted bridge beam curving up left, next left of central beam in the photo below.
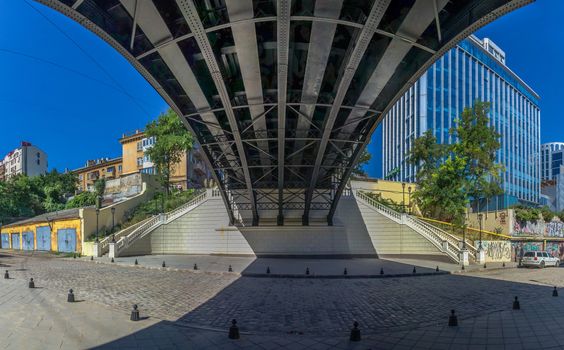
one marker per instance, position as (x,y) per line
(191,16)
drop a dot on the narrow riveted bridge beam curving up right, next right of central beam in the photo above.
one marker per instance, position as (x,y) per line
(376,14)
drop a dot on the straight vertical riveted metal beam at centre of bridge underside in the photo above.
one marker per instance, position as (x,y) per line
(283,33)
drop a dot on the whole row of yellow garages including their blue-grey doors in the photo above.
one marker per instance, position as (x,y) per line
(59,231)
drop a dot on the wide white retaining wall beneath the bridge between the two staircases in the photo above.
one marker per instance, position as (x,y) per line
(358,231)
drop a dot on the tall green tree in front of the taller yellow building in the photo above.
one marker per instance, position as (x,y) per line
(172,141)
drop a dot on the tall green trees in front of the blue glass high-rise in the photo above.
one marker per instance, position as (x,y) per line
(449,175)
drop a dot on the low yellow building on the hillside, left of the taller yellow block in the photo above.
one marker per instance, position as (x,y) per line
(97,169)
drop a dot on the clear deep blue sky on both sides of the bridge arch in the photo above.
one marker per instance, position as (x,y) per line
(65,90)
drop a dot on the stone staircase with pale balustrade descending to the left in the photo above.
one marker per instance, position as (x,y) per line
(130,235)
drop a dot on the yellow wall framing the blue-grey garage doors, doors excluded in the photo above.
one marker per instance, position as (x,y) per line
(56,225)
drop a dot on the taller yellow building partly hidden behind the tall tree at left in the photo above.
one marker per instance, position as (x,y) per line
(189,172)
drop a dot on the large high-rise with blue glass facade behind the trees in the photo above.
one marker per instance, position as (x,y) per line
(473,70)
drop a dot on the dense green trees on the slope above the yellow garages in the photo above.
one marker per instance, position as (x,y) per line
(23,196)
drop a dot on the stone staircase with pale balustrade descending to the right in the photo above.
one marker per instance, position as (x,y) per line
(448,244)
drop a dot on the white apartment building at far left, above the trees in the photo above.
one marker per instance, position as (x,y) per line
(26,159)
